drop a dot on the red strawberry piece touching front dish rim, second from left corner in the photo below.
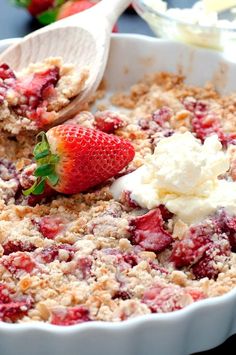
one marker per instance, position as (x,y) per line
(70,316)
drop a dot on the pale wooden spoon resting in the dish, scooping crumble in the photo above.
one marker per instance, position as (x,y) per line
(82,39)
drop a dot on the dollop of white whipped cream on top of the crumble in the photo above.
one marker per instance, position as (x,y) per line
(183,174)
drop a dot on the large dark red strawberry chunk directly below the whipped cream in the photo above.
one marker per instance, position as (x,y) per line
(147,231)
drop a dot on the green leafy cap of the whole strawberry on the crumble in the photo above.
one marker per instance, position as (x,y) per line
(46,166)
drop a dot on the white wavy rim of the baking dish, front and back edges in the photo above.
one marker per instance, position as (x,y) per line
(163,318)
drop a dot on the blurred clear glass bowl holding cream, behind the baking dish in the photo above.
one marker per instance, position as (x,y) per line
(208,32)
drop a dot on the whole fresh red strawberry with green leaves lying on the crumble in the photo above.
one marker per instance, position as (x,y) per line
(72,159)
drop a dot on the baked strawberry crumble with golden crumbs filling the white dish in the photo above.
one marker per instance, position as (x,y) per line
(71,258)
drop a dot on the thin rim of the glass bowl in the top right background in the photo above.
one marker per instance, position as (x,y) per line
(141,4)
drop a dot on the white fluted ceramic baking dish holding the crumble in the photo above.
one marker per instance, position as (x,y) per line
(198,327)
